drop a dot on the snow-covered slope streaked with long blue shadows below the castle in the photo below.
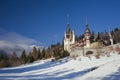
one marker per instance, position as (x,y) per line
(83,68)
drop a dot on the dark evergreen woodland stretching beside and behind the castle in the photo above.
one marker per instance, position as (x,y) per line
(53,51)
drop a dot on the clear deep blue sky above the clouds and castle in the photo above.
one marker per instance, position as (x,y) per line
(45,20)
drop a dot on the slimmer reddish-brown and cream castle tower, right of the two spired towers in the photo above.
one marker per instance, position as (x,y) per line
(87,36)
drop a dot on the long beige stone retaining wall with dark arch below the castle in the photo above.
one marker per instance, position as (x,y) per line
(80,51)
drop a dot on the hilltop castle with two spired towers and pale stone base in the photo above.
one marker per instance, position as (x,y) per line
(84,45)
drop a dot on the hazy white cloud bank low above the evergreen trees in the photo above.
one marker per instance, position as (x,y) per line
(11,41)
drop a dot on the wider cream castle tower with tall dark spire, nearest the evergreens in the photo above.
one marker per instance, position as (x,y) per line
(69,37)
